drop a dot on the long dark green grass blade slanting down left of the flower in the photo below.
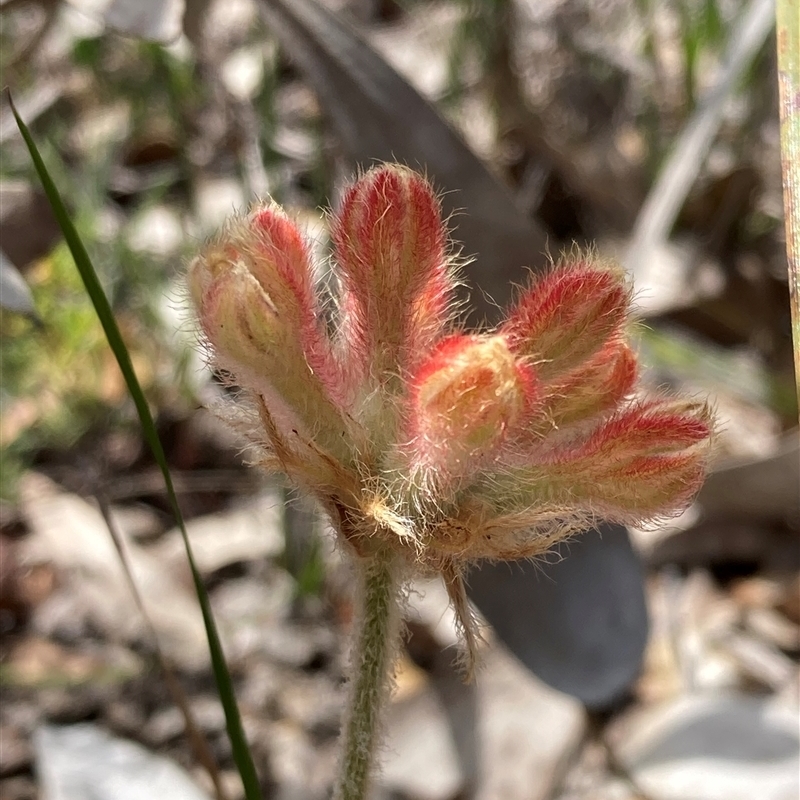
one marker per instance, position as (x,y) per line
(241,751)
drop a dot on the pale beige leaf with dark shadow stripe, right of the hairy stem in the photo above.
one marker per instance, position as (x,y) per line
(525,735)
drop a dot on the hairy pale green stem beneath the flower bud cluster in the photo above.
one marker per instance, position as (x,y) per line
(373,649)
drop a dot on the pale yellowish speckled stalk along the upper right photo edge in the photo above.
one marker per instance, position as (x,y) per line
(788,21)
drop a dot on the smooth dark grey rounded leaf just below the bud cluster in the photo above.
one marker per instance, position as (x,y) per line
(578,622)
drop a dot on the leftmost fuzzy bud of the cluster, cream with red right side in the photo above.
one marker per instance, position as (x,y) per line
(253,288)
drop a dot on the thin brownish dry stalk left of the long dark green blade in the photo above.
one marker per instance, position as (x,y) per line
(197,741)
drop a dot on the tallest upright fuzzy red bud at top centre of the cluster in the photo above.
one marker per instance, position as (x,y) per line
(390,246)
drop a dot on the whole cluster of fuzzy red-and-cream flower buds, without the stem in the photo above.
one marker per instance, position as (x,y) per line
(415,436)
